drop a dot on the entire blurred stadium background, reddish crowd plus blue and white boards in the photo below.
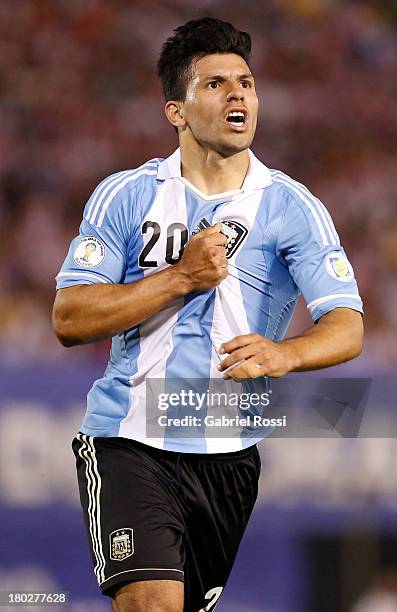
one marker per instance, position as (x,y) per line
(79,100)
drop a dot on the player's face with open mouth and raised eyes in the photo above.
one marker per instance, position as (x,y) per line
(220,85)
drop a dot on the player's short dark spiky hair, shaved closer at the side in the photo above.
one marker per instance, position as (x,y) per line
(194,40)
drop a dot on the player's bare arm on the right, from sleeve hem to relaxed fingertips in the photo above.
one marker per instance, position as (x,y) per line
(337,337)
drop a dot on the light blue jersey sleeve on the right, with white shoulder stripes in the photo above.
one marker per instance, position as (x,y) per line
(309,246)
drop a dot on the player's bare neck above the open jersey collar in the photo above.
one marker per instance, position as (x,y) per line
(210,172)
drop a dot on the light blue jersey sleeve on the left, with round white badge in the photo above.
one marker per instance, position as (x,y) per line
(99,253)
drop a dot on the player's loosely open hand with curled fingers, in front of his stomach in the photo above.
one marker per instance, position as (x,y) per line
(254,355)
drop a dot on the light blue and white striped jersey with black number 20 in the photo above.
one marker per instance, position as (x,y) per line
(136,223)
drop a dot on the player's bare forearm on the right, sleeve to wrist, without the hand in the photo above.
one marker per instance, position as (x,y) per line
(336,338)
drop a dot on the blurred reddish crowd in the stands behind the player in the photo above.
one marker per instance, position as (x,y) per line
(79,100)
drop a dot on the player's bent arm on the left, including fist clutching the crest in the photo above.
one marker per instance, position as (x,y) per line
(85,313)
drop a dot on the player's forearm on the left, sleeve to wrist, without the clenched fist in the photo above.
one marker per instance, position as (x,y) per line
(85,313)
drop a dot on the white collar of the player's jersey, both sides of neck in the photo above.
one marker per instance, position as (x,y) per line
(258,175)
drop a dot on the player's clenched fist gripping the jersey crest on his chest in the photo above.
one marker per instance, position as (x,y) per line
(204,263)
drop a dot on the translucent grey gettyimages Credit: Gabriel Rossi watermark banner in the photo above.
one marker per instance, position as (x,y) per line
(285,407)
